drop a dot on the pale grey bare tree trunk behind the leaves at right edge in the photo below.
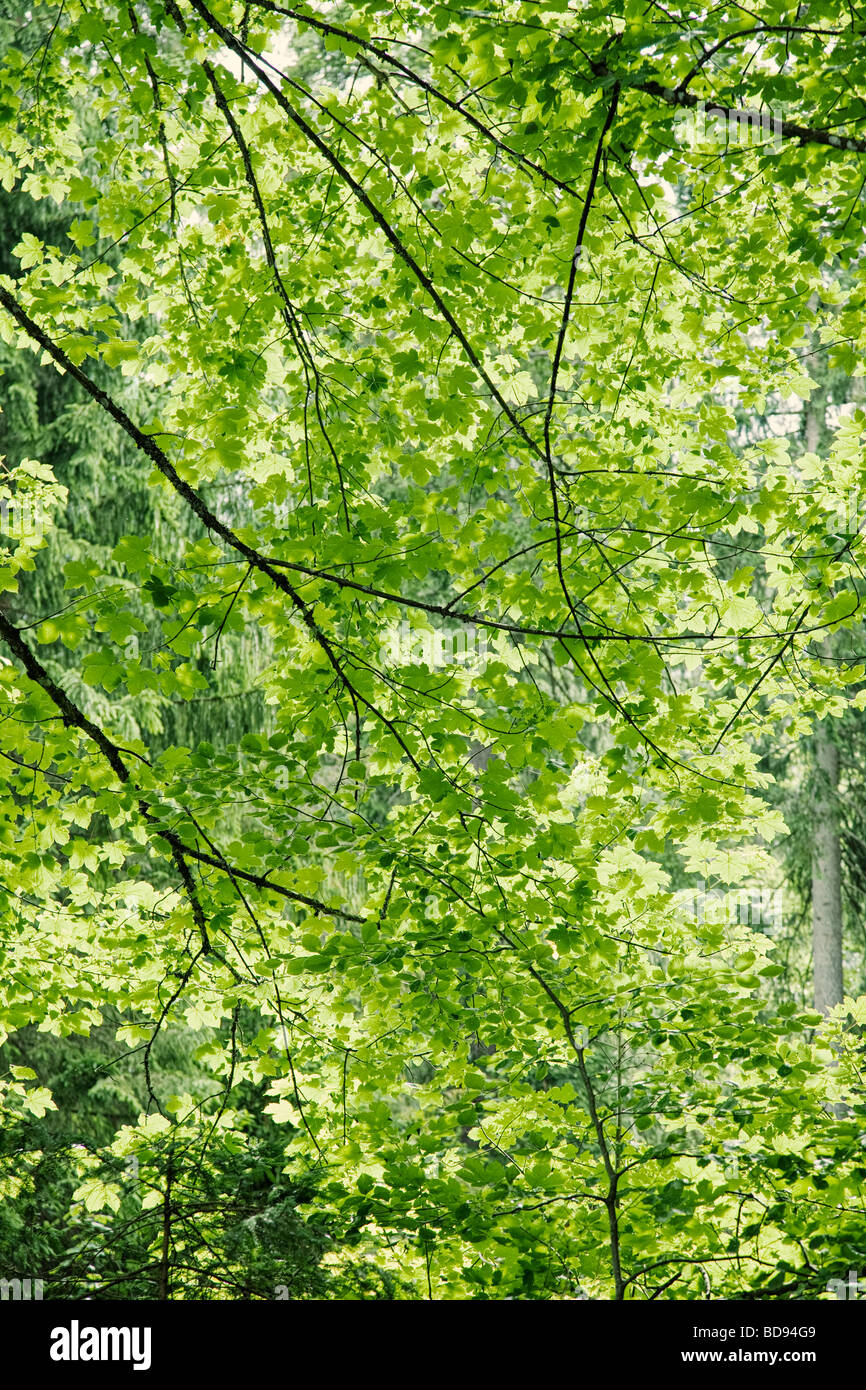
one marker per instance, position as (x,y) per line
(826,876)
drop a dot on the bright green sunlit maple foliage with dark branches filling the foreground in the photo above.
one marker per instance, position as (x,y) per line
(446,320)
